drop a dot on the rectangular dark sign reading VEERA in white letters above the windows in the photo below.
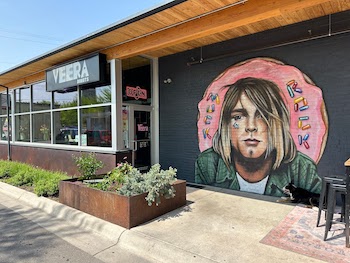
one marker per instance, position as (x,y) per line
(81,72)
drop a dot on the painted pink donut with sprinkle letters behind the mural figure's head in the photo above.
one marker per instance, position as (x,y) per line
(308,116)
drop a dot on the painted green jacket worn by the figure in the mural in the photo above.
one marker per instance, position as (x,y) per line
(210,169)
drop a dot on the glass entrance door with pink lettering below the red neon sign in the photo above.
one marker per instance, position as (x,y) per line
(137,134)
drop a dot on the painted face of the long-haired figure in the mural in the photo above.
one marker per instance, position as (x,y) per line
(248,129)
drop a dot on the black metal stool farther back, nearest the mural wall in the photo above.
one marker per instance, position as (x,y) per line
(326,181)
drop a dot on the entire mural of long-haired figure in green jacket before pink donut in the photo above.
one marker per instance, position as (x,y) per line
(270,129)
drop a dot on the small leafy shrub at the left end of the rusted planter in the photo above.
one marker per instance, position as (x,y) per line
(87,165)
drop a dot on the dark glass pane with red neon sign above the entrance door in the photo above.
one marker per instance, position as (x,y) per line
(137,80)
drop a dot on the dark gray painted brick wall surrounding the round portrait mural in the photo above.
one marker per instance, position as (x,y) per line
(325,60)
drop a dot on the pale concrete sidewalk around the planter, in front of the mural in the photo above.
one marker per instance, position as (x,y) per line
(216,225)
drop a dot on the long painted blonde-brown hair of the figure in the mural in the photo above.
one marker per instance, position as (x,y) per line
(267,98)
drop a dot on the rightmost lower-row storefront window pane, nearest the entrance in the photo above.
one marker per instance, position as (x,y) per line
(96,127)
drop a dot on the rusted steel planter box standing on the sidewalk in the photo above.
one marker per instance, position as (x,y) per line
(126,211)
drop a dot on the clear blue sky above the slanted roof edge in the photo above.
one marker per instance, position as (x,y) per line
(31,28)
